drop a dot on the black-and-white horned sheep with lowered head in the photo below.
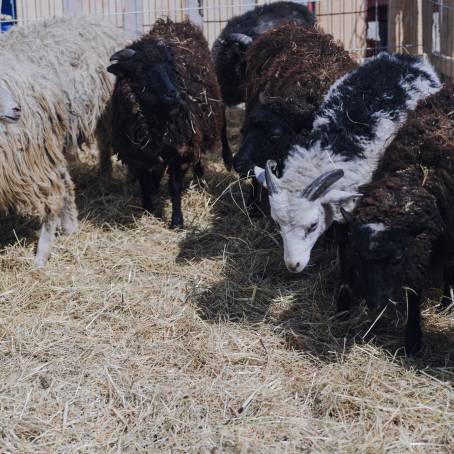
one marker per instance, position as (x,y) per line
(362,113)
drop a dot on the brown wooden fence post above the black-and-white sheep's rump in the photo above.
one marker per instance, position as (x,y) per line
(405,25)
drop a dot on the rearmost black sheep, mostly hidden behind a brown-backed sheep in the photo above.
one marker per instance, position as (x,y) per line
(239,33)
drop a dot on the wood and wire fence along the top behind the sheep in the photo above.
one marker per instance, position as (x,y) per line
(365,27)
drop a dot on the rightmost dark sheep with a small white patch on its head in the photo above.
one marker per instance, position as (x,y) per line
(401,233)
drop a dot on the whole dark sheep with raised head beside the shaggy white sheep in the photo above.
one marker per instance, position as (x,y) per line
(166,108)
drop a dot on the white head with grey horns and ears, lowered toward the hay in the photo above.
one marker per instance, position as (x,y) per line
(304,215)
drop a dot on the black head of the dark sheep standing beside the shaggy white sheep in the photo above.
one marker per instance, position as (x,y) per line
(153,76)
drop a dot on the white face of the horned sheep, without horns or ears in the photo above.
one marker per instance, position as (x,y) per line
(301,223)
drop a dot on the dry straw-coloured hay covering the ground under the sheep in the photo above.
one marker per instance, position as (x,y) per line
(136,338)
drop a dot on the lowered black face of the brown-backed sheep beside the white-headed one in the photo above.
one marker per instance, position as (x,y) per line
(266,135)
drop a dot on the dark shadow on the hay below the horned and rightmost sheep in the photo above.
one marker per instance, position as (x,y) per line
(255,288)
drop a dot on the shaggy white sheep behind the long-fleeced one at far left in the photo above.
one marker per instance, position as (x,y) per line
(76,51)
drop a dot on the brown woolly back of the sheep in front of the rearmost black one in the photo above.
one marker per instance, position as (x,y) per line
(295,64)
